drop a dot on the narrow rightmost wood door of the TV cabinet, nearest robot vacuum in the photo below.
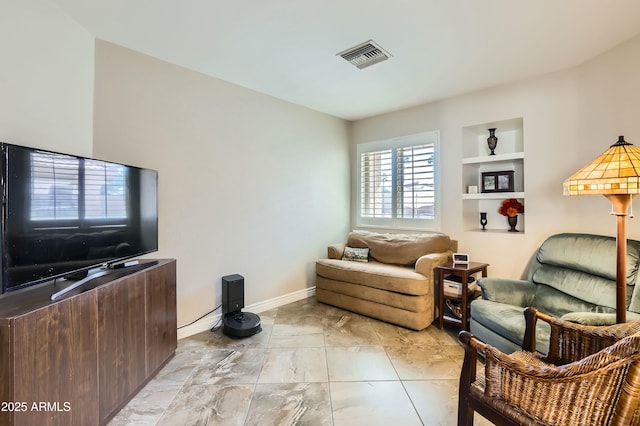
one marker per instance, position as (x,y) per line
(162,329)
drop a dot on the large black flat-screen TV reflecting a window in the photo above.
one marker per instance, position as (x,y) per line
(64,214)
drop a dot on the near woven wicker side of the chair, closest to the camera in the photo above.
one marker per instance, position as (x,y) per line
(573,392)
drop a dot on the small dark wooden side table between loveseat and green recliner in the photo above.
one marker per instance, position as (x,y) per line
(464,271)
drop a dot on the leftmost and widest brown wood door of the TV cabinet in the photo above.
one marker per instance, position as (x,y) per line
(55,355)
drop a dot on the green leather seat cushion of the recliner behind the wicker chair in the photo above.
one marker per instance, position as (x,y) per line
(508,322)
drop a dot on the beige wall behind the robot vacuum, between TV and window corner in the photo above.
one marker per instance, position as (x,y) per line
(248,184)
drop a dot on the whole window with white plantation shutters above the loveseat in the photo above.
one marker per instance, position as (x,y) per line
(397,182)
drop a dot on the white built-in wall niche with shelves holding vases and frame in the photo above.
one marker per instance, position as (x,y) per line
(477,159)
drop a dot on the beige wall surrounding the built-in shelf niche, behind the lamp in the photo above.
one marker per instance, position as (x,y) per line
(570,117)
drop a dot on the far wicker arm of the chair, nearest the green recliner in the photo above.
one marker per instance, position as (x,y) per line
(570,341)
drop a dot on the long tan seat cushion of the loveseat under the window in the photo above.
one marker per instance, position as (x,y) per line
(396,278)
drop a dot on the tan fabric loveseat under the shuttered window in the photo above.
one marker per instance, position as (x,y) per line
(394,284)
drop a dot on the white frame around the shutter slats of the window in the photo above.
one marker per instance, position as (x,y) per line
(432,137)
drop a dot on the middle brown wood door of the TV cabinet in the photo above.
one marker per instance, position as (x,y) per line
(121,341)
